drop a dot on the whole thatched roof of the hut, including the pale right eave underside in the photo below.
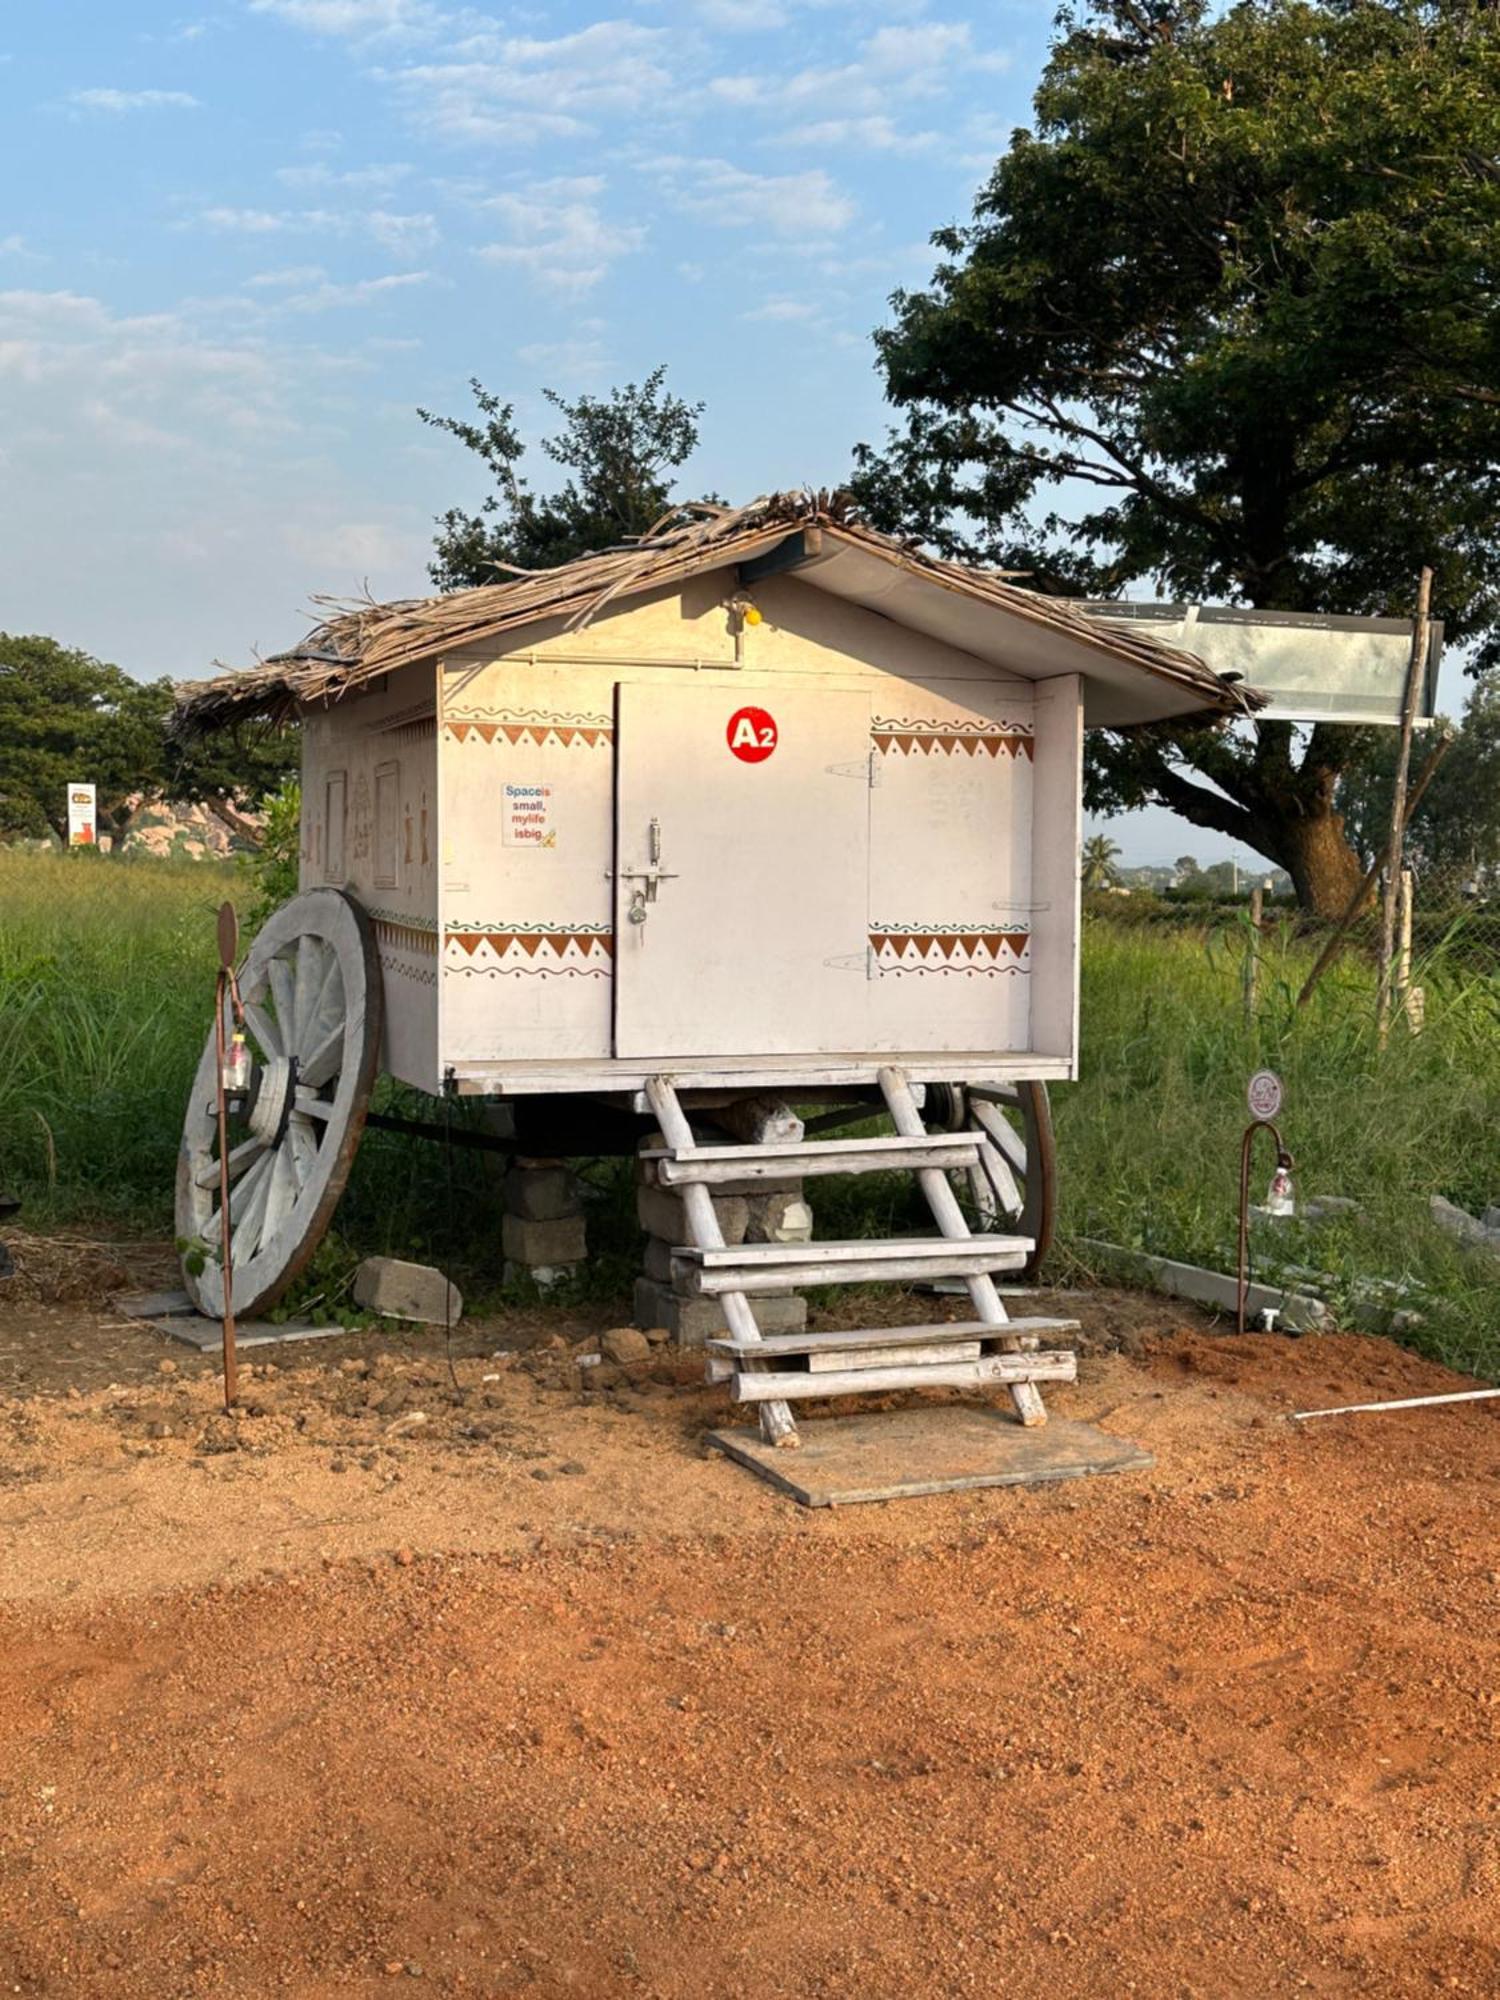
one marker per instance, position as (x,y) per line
(359,641)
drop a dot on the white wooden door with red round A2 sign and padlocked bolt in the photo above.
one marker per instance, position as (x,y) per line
(743,869)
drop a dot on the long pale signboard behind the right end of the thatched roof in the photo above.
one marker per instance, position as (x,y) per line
(1315,669)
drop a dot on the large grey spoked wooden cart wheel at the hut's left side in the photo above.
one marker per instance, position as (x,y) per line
(311,991)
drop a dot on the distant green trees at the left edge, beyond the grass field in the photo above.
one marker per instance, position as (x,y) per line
(67,717)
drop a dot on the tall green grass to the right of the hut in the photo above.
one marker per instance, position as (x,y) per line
(1149,1137)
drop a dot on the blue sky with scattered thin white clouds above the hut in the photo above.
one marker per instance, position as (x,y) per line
(243,243)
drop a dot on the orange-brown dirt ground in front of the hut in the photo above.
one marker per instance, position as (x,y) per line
(513,1689)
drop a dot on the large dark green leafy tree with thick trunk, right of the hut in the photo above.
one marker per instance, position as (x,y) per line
(1227,321)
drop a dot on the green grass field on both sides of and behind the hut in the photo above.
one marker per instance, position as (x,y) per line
(107,977)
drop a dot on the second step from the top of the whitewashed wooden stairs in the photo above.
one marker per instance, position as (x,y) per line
(863,1261)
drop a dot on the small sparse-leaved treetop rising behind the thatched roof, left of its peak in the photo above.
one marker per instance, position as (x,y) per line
(619,451)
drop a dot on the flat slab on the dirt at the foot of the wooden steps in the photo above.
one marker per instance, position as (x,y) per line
(939,1451)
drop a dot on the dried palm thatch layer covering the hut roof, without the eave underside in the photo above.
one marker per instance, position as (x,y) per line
(359,641)
